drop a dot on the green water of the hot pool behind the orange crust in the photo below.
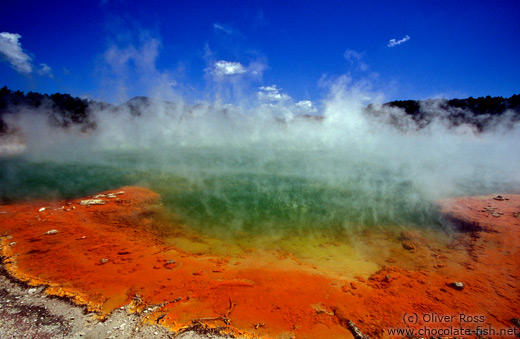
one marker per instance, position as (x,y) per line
(235,194)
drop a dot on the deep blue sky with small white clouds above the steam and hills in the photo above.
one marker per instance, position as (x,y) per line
(113,50)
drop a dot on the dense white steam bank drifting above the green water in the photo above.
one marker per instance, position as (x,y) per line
(437,159)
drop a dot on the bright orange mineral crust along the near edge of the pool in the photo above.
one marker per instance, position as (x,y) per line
(105,252)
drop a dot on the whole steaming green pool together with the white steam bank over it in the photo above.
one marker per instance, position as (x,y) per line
(267,170)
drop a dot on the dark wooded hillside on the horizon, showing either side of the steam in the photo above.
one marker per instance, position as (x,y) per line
(63,110)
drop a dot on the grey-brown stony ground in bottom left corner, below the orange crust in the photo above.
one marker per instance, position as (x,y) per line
(28,312)
